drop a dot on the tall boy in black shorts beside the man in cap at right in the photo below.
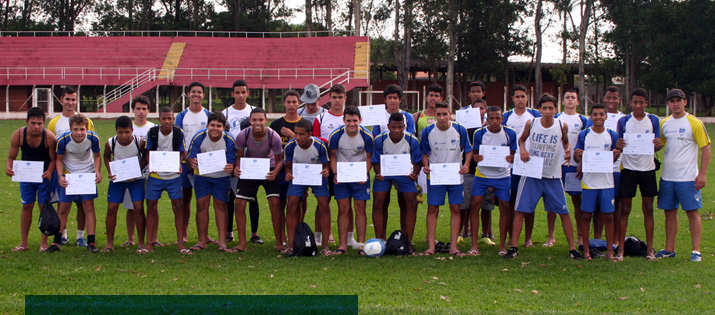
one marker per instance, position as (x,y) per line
(638,166)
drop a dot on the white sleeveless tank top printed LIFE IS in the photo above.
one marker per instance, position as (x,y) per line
(546,143)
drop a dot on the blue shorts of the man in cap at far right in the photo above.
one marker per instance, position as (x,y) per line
(672,194)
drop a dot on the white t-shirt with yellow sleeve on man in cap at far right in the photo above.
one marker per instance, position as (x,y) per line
(682,137)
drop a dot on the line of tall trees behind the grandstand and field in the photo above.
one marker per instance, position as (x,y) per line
(656,44)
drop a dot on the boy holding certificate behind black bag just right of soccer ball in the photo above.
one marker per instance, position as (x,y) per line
(402,157)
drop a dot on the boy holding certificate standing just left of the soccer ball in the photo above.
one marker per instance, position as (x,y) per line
(351,148)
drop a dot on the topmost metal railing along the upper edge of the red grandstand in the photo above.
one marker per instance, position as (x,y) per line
(177,33)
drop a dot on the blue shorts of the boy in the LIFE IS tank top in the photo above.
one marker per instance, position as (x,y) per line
(532,189)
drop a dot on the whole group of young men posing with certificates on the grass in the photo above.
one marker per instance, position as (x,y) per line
(314,135)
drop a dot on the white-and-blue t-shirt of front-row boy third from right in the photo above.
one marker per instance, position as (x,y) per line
(593,141)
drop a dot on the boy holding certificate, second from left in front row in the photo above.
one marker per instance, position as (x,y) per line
(78,155)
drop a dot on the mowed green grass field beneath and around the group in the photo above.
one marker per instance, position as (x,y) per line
(539,280)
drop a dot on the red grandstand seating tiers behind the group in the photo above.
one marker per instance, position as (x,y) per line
(273,63)
